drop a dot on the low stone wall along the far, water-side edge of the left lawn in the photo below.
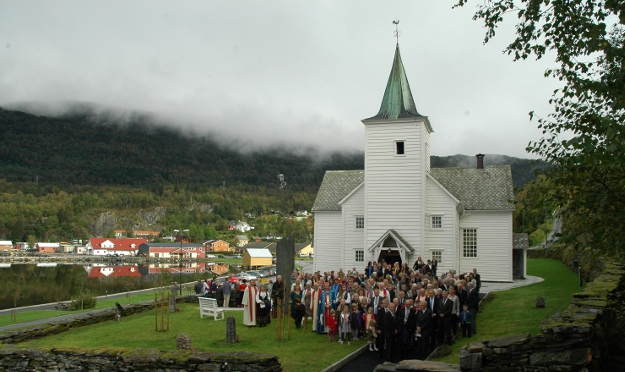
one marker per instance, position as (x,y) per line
(81,319)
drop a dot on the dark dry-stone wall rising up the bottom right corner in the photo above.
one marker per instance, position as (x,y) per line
(588,336)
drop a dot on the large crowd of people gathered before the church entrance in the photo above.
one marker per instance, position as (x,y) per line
(403,312)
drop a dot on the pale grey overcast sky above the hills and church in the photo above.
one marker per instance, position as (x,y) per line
(271,72)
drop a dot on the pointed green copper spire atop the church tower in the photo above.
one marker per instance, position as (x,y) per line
(397,102)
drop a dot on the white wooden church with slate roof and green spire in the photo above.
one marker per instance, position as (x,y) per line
(398,208)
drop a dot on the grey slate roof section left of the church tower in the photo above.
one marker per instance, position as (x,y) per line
(335,186)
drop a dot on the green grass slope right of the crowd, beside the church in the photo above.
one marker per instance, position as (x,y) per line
(514,311)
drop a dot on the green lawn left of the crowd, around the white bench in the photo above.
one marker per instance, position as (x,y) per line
(306,351)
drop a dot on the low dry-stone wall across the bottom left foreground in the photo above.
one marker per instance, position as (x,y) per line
(18,359)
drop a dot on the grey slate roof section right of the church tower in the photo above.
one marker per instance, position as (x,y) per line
(478,189)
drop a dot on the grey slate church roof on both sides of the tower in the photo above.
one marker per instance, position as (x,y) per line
(477,189)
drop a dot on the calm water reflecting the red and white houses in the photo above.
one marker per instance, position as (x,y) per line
(35,284)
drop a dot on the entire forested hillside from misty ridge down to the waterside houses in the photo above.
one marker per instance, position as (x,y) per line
(85,174)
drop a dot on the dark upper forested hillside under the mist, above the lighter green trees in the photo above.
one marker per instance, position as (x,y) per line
(88,149)
